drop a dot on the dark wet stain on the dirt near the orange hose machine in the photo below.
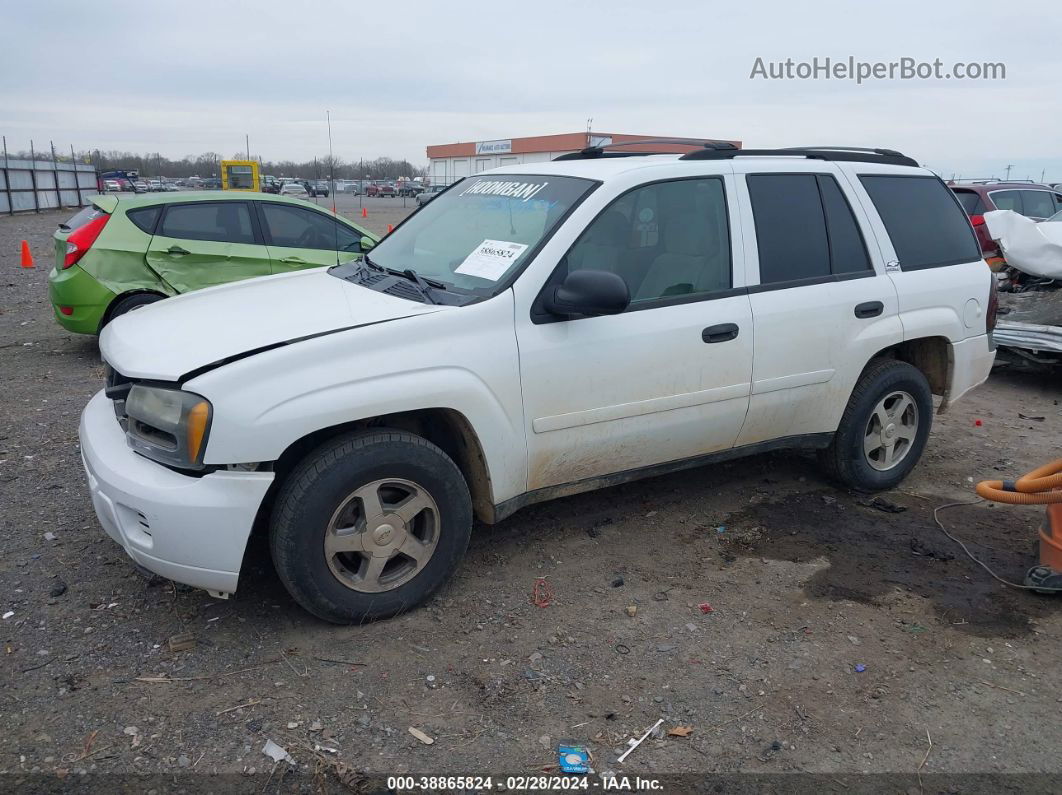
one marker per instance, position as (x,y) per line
(873,552)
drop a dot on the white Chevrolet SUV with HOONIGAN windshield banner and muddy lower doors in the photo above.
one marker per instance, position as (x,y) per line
(536,332)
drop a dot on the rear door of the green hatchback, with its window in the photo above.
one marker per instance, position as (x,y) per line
(207,244)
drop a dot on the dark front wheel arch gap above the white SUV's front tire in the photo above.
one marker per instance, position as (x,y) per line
(448,429)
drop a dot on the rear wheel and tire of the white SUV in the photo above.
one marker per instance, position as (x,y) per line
(884,429)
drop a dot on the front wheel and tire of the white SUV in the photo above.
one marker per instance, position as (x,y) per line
(369,526)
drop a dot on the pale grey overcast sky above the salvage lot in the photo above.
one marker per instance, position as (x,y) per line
(190,77)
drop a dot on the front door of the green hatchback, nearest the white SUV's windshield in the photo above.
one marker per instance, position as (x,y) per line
(299,237)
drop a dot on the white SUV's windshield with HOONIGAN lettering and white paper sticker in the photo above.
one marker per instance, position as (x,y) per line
(482,231)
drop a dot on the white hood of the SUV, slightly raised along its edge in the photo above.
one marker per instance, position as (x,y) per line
(174,338)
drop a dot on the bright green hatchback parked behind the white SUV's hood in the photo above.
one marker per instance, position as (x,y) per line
(122,253)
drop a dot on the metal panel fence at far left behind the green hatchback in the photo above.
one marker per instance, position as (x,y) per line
(41,185)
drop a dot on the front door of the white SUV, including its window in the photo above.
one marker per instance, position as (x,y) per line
(666,381)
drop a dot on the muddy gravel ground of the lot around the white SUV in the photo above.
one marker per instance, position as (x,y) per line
(804,582)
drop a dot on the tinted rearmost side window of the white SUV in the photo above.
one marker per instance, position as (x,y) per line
(928,226)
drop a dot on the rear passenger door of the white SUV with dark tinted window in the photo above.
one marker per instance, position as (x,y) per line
(821,303)
